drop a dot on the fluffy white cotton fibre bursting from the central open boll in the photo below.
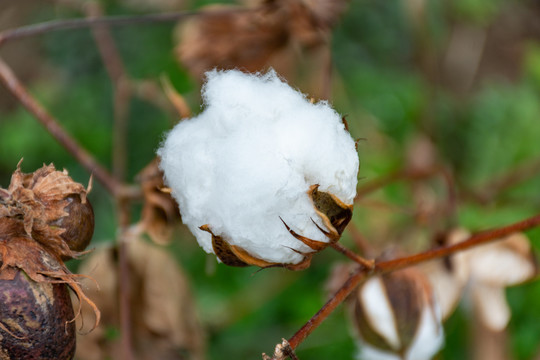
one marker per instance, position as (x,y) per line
(250,157)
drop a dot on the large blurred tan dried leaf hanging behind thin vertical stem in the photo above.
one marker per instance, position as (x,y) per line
(164,321)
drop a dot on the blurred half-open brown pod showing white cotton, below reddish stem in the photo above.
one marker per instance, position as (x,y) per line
(397,318)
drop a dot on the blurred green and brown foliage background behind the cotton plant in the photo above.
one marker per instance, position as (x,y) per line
(464,74)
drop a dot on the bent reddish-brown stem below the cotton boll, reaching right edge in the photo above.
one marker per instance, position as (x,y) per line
(382,267)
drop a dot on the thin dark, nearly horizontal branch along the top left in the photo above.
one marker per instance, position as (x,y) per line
(69,24)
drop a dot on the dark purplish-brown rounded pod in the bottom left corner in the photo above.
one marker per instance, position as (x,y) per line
(35,320)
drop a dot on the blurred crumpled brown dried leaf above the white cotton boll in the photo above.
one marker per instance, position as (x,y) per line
(268,33)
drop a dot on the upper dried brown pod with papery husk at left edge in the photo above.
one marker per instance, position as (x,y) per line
(53,208)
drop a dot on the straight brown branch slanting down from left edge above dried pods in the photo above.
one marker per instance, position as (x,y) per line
(13,84)
